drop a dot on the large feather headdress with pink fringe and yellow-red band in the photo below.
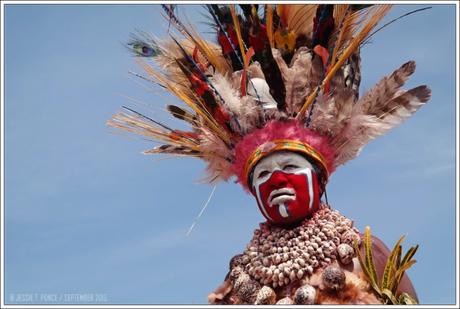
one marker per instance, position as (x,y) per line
(285,72)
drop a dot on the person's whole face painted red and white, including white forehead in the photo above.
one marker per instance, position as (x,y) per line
(286,187)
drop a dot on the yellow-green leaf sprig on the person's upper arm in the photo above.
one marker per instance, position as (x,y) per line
(394,270)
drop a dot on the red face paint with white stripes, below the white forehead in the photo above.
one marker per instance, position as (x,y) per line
(287,197)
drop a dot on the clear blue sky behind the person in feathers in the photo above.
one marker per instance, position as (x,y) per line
(87,213)
